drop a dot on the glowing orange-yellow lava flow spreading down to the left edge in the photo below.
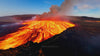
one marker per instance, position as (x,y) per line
(36,31)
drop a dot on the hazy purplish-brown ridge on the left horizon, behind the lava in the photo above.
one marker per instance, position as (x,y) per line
(15,18)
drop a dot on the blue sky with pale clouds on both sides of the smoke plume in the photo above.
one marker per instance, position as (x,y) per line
(89,8)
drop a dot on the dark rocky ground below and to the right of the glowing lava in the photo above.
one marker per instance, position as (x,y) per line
(81,40)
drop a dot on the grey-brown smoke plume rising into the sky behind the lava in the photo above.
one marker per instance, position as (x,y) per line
(64,9)
